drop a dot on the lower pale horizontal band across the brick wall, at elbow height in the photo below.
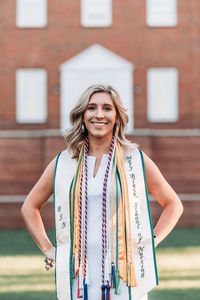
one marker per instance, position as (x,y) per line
(21,198)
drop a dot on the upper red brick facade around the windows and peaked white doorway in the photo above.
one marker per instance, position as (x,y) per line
(129,37)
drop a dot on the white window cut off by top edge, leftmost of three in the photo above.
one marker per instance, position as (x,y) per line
(31,13)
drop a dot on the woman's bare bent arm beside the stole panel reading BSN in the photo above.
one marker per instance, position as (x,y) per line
(38,196)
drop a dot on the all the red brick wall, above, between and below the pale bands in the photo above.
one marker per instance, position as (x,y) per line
(22,160)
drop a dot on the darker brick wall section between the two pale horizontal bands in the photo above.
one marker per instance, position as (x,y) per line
(23,160)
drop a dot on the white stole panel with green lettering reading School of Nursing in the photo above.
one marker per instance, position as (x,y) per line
(141,226)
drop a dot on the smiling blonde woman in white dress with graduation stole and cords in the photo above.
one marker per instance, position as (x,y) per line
(104,237)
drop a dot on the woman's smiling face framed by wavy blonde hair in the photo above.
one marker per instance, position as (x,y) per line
(100,115)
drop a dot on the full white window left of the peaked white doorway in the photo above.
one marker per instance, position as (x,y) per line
(31,94)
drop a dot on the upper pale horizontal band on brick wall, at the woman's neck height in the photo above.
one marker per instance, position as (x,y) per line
(137,132)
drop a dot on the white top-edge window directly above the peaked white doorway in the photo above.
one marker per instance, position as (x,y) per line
(96,13)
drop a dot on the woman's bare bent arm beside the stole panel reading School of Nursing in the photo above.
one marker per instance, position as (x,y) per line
(166,197)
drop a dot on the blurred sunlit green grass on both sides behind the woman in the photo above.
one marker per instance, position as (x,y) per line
(22,274)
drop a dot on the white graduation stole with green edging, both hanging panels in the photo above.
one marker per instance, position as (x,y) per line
(141,227)
